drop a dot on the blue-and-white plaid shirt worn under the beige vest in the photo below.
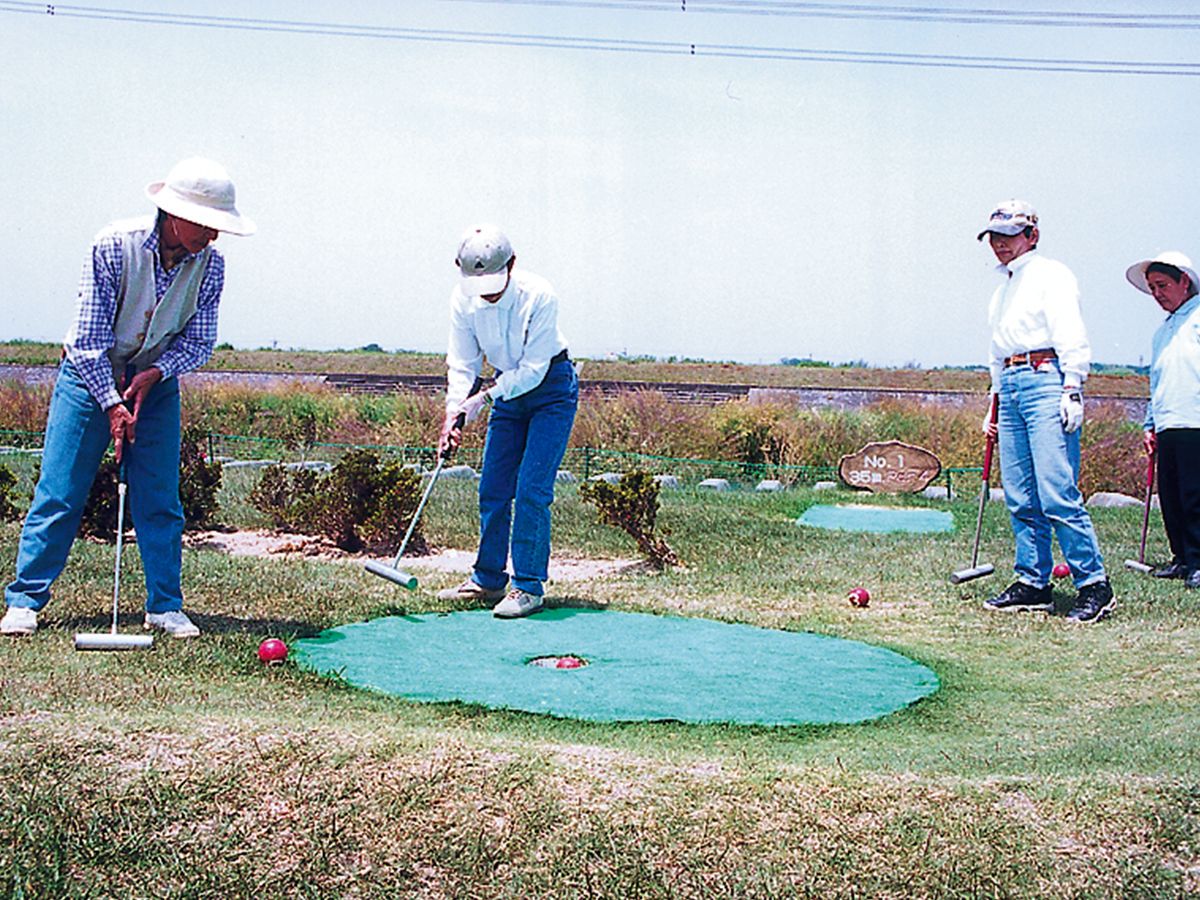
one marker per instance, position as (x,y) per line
(92,335)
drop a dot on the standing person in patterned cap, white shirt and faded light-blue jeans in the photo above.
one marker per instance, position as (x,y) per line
(1040,361)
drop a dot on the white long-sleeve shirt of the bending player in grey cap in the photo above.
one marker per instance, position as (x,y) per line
(519,334)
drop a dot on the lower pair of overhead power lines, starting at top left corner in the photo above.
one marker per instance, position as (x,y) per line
(613,45)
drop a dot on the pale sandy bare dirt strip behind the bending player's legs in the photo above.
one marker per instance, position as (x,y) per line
(281,544)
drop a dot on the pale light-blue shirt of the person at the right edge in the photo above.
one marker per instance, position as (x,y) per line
(1175,371)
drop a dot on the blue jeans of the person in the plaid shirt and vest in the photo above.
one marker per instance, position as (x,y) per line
(76,440)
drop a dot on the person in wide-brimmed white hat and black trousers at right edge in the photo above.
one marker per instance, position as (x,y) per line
(1173,416)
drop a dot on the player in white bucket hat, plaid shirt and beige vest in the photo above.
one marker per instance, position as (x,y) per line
(147,313)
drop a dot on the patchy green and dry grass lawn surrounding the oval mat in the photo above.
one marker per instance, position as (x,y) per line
(1057,761)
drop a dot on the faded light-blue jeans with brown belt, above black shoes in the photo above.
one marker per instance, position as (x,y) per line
(1040,467)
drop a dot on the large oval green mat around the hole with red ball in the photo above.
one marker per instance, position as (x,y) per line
(640,668)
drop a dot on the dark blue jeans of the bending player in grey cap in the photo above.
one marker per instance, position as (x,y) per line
(526,441)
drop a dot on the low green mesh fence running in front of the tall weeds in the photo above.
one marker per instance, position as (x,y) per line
(584,463)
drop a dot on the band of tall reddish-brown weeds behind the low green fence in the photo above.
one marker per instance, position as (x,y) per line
(742,441)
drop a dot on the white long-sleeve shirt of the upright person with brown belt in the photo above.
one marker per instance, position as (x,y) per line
(1036,309)
